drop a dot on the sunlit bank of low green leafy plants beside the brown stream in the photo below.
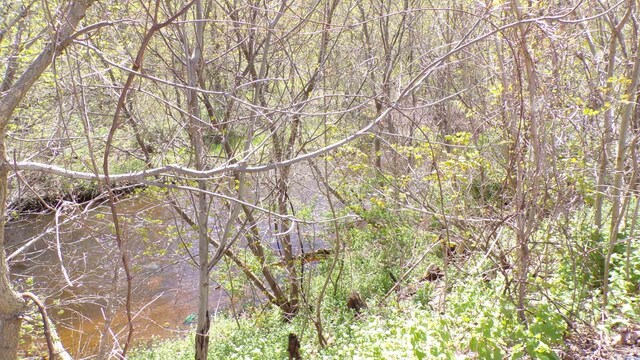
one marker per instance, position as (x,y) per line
(467,314)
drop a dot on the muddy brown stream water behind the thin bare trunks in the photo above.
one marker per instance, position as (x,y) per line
(73,271)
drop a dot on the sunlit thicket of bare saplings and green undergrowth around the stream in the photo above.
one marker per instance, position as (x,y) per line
(474,220)
